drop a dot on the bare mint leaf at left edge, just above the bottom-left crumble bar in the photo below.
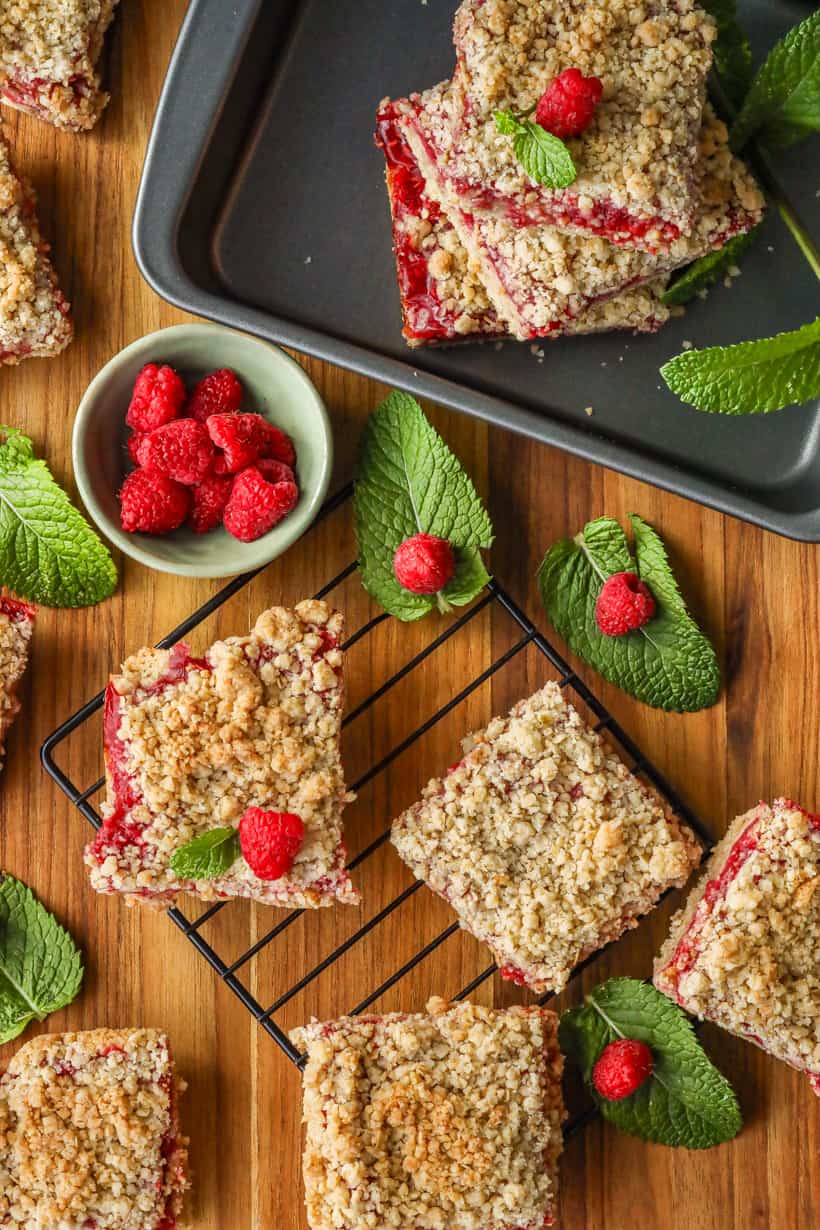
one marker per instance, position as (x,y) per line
(41,969)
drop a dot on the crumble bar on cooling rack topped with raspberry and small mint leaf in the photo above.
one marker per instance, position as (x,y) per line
(192,742)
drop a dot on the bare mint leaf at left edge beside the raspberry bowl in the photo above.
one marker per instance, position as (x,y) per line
(49,552)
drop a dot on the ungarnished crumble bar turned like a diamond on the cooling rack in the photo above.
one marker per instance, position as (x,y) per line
(543,842)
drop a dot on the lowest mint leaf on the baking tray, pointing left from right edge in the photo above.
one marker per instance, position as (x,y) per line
(751,378)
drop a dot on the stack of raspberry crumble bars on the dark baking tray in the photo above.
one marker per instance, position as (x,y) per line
(485,252)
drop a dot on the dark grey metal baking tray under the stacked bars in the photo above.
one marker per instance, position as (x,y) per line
(262,206)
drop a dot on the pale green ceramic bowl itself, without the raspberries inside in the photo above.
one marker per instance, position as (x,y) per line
(276,387)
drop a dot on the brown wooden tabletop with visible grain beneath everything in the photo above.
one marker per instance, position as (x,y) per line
(755,593)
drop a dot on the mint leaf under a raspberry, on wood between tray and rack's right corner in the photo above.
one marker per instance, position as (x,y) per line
(668,664)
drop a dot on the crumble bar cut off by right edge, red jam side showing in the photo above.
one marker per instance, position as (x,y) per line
(744,953)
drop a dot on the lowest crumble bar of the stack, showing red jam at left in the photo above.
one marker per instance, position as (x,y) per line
(443,298)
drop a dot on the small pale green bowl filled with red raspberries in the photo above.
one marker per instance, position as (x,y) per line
(202,452)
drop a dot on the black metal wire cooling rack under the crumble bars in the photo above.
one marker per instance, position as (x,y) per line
(528,635)
